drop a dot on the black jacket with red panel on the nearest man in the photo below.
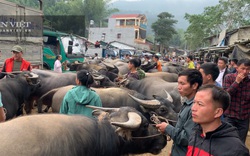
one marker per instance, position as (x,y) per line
(224,136)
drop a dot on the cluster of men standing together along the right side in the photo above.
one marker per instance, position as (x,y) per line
(215,118)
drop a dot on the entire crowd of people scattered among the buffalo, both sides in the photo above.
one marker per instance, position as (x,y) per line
(214,120)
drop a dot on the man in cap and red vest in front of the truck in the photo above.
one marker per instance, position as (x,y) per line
(15,63)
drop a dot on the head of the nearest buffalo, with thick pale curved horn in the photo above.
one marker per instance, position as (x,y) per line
(137,135)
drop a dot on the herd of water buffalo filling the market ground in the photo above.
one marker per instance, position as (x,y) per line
(123,125)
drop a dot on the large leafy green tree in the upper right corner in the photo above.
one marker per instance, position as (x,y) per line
(228,14)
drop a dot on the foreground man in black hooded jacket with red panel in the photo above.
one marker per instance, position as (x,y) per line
(212,136)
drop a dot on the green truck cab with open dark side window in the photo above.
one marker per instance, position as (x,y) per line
(69,46)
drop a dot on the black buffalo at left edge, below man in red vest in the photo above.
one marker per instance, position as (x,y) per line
(16,90)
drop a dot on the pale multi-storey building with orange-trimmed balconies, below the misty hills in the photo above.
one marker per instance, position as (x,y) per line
(125,28)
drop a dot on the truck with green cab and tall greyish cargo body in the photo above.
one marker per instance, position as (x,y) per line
(20,25)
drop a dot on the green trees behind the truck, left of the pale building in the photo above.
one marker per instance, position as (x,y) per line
(71,15)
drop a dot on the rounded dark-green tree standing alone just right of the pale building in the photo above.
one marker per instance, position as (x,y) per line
(164,28)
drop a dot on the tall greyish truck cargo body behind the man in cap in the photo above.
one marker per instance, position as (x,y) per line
(23,26)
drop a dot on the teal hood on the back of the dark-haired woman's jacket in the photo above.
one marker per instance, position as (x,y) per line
(82,95)
